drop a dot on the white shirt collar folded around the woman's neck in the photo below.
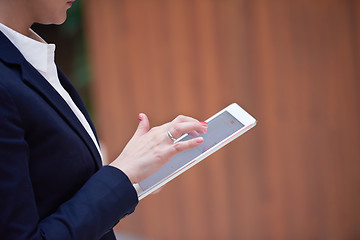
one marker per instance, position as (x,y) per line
(38,54)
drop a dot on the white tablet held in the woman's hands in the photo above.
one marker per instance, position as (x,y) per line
(223,128)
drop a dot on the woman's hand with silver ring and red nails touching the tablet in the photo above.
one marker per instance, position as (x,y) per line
(148,150)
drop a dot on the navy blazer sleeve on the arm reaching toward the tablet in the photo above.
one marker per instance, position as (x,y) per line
(103,200)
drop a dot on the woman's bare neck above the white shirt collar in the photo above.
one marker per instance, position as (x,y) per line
(13,14)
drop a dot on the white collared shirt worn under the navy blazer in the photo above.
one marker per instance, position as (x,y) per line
(42,57)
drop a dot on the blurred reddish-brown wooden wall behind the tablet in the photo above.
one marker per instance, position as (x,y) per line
(294,65)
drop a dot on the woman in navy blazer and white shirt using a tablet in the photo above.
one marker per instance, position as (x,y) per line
(52,183)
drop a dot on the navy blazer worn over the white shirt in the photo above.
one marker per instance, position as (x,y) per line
(52,183)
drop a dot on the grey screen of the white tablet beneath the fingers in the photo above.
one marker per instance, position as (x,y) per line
(221,127)
